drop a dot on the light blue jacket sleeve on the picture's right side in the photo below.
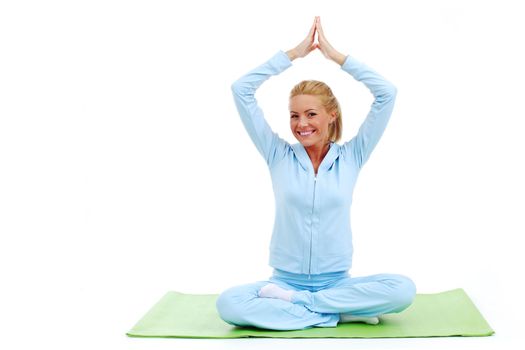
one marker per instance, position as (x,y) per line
(361,145)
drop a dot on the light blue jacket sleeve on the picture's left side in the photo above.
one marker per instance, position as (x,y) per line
(267,142)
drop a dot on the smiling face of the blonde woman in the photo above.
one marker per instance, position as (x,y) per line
(309,120)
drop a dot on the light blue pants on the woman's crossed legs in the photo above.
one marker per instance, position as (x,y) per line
(318,300)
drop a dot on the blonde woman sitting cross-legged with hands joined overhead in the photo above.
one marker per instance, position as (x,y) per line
(313,181)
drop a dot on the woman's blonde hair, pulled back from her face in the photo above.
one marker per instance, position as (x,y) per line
(328,101)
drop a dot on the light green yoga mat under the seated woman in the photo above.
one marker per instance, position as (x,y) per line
(449,313)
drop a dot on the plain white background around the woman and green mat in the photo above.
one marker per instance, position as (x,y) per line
(125,170)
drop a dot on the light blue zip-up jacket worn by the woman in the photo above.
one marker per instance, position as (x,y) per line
(312,232)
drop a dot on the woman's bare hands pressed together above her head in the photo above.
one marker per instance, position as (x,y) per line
(307,45)
